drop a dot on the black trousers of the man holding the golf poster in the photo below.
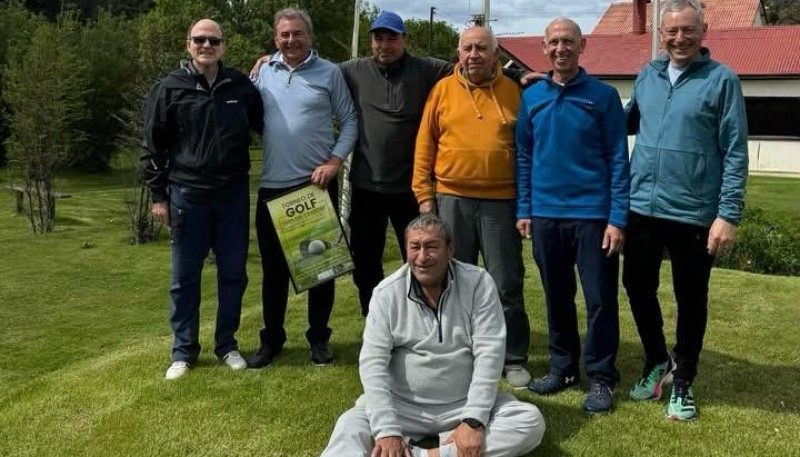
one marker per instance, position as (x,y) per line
(275,285)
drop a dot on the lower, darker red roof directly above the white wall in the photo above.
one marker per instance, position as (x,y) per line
(753,51)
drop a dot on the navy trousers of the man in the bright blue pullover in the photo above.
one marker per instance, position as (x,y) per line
(558,245)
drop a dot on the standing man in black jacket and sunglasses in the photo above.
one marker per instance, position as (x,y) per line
(195,159)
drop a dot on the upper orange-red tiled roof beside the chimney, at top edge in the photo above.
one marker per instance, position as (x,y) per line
(719,14)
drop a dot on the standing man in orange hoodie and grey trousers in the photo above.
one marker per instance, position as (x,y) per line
(464,170)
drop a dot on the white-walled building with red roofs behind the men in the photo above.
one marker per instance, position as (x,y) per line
(766,58)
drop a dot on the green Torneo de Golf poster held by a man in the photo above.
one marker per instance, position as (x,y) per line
(311,236)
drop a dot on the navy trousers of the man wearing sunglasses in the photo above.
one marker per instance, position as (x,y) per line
(194,229)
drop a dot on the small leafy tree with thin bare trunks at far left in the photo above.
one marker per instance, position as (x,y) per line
(45,91)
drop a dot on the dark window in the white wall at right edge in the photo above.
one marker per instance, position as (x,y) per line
(773,116)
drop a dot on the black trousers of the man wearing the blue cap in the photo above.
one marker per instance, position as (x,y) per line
(369,213)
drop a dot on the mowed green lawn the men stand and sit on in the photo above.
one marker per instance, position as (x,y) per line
(84,342)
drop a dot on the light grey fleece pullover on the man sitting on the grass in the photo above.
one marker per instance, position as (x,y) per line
(450,356)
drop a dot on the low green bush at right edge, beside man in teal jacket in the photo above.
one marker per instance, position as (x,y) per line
(766,243)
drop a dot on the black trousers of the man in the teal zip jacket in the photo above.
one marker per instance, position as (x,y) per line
(647,238)
